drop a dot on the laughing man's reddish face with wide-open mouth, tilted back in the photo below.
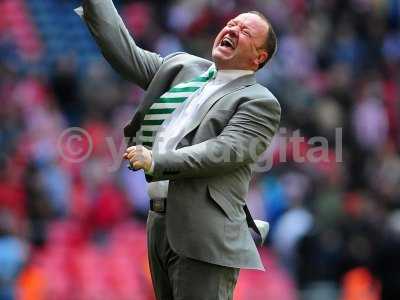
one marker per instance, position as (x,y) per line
(239,44)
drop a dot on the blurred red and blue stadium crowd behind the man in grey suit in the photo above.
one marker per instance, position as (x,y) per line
(75,229)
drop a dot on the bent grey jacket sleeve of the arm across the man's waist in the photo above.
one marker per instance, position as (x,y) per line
(243,140)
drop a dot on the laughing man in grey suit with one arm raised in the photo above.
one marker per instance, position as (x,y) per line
(196,134)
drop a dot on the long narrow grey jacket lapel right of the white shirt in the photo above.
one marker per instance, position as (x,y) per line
(229,88)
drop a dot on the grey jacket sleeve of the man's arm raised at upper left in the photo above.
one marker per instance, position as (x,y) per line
(116,44)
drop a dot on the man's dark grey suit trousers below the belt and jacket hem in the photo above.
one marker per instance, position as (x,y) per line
(176,277)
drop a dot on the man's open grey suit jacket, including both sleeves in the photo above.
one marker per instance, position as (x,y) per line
(210,171)
